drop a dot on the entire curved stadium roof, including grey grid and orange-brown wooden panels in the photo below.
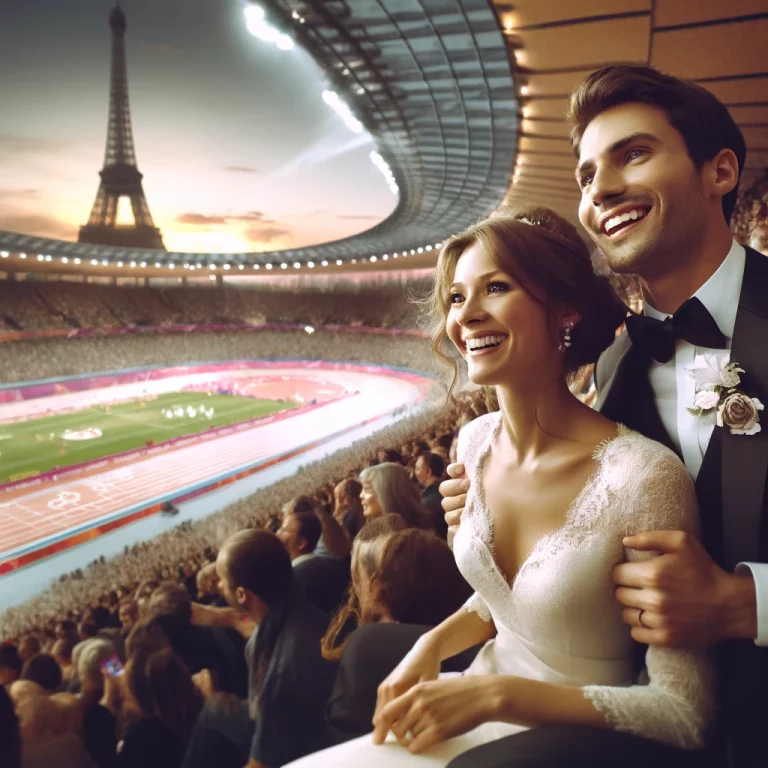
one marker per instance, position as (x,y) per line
(458,93)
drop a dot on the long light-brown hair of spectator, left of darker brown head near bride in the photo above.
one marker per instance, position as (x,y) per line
(365,552)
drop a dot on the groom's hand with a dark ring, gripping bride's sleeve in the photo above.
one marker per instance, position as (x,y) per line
(682,598)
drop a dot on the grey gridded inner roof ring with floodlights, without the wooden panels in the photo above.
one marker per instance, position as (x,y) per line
(432,81)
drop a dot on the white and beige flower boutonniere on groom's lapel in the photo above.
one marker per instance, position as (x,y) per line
(717,389)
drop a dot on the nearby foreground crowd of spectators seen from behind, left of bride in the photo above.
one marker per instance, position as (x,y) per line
(154,657)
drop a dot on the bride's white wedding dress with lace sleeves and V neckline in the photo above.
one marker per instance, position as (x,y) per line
(558,621)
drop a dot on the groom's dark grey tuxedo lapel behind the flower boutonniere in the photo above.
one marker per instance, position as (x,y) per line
(745,458)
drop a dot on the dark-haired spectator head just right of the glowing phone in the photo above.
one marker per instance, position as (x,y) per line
(158,683)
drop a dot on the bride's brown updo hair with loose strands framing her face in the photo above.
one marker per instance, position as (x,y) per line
(544,254)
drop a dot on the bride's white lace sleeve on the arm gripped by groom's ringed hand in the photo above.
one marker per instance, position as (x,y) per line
(677,705)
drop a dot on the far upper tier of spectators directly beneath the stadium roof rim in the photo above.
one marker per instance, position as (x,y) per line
(34,305)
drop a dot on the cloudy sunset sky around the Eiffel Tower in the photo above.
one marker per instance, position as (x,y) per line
(238,150)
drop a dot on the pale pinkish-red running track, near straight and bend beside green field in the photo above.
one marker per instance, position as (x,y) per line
(64,513)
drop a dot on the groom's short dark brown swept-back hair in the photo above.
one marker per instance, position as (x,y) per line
(701,119)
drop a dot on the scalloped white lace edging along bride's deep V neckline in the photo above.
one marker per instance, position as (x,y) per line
(598,455)
